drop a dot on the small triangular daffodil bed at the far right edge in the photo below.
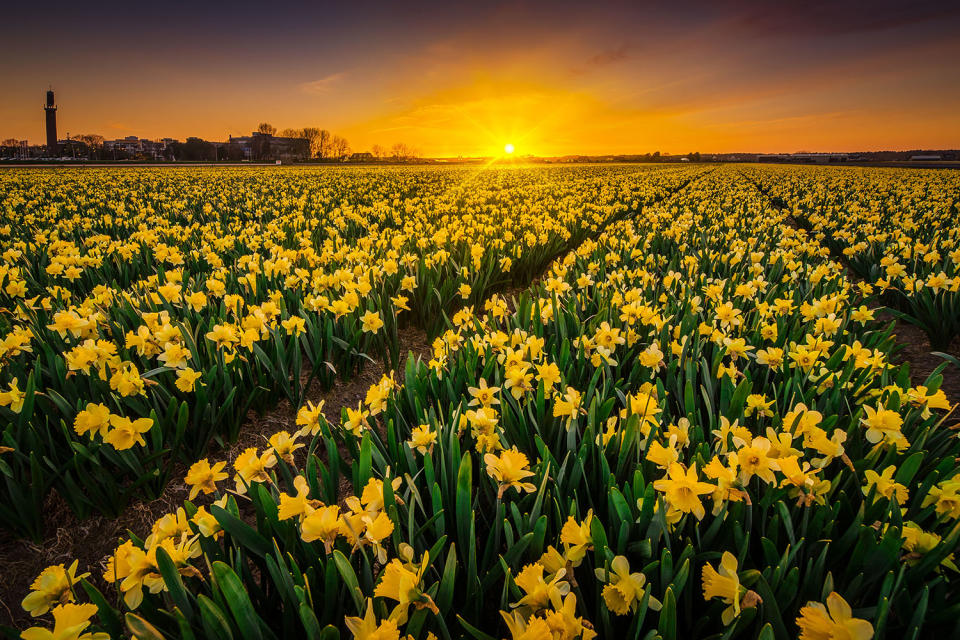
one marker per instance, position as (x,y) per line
(896,229)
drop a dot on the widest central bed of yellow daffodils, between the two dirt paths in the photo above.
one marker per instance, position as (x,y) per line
(689,427)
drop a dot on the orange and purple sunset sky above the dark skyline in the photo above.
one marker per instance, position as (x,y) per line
(451,78)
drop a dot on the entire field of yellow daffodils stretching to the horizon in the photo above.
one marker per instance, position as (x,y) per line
(660,401)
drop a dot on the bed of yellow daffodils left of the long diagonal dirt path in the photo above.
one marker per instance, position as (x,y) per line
(150,311)
